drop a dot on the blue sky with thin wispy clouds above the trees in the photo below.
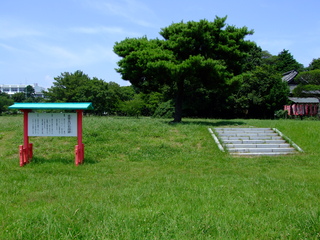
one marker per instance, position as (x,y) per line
(40,39)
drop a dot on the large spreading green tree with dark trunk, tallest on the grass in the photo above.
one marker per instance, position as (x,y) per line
(194,54)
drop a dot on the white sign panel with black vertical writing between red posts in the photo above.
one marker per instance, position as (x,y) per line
(52,124)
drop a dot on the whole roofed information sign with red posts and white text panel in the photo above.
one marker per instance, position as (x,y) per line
(49,126)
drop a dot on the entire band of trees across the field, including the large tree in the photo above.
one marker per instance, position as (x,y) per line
(199,69)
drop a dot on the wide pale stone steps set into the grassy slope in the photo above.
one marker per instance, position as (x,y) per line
(253,141)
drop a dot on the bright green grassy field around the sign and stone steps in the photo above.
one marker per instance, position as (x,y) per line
(149,179)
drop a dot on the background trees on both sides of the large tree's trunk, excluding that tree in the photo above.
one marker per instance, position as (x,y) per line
(257,93)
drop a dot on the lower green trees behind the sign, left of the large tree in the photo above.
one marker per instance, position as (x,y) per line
(107,98)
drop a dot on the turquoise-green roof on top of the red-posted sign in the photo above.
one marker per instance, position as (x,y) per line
(61,106)
